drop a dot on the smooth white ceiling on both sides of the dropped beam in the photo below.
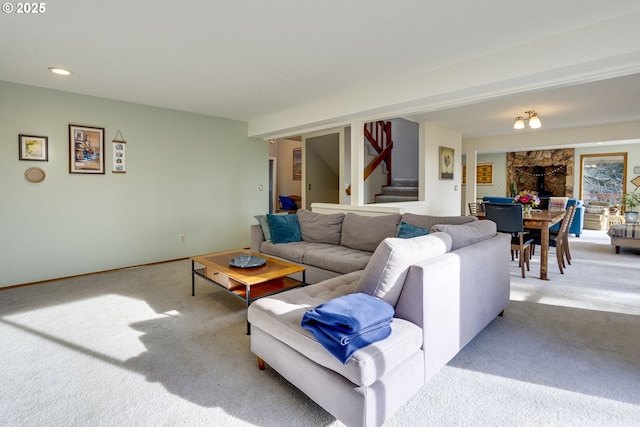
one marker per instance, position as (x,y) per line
(245,59)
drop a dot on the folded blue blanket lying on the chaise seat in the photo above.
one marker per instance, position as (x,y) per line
(349,323)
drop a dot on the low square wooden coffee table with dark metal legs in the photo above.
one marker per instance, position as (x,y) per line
(246,283)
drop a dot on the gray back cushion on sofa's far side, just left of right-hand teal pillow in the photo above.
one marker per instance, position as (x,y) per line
(366,232)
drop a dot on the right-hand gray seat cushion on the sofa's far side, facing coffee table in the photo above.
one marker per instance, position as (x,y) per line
(336,258)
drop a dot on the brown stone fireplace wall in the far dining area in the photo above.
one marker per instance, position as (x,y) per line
(550,172)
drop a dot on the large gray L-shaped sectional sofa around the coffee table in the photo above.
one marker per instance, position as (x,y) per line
(445,288)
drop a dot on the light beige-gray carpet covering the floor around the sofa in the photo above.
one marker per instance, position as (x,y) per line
(133,347)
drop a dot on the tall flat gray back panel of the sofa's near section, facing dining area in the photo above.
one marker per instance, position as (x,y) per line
(454,296)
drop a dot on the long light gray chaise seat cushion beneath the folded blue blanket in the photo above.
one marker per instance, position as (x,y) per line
(280,316)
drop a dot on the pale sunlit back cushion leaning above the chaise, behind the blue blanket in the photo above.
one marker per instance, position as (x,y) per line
(385,274)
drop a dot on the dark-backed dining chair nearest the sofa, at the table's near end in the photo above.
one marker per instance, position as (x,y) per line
(509,219)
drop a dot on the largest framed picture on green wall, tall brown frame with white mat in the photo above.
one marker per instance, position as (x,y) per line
(86,149)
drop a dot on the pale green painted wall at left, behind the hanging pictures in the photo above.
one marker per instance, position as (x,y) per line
(186,174)
